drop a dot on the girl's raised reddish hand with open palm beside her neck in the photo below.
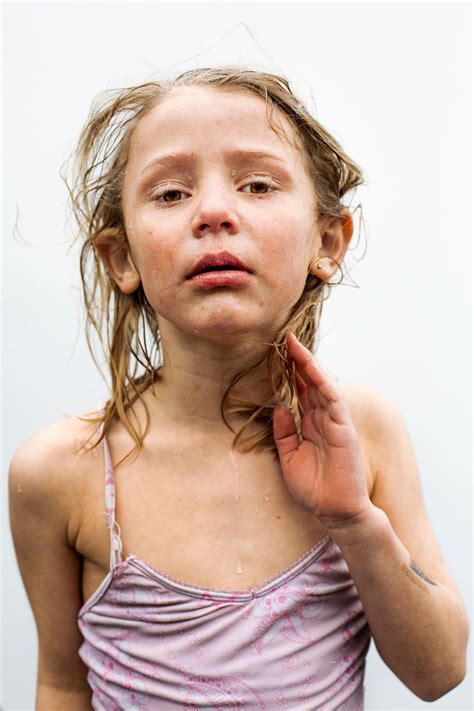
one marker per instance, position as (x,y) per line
(324,471)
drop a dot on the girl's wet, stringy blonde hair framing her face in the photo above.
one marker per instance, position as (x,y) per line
(125,322)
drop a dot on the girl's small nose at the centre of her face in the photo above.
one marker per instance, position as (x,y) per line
(215,211)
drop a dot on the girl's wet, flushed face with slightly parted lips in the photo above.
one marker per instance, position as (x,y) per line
(207,174)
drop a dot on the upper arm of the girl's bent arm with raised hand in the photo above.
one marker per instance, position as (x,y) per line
(397,487)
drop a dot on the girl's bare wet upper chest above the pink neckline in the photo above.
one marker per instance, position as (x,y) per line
(209,517)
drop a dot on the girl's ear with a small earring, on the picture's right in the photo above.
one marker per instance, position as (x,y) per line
(335,235)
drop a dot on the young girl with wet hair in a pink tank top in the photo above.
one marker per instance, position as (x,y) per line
(270,520)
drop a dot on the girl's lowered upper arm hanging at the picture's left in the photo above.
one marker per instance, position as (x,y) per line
(40,494)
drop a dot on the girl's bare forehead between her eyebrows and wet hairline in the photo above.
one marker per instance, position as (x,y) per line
(189,115)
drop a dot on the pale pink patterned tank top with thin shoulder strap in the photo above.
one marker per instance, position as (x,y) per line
(298,641)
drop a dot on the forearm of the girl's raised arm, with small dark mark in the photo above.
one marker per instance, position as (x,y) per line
(419,627)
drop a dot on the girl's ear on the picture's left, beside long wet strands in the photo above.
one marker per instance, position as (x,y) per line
(112,246)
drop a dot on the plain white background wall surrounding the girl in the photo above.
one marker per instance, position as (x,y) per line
(392,82)
